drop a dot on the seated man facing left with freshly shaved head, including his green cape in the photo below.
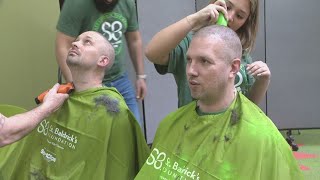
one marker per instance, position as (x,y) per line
(221,134)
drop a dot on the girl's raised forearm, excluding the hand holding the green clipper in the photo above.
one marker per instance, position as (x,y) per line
(160,46)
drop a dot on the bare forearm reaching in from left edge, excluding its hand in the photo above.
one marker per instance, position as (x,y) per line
(16,127)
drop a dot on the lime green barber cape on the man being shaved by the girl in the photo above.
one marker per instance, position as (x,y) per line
(240,143)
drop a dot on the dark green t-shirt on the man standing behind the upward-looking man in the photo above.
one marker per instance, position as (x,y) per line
(78,16)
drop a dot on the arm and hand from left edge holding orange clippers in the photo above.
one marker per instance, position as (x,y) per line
(16,127)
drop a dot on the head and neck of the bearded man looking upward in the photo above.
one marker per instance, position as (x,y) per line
(89,57)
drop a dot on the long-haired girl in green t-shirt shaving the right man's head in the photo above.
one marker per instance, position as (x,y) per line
(167,49)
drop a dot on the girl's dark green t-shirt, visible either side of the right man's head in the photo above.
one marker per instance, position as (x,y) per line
(177,67)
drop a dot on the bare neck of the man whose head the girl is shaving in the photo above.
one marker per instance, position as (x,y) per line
(218,104)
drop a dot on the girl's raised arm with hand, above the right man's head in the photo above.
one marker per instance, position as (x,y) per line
(158,49)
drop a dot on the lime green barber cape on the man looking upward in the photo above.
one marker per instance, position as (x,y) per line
(92,136)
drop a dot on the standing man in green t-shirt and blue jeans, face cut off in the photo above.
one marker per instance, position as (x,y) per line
(117,21)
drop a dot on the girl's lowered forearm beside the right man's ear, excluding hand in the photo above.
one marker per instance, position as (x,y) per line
(258,91)
